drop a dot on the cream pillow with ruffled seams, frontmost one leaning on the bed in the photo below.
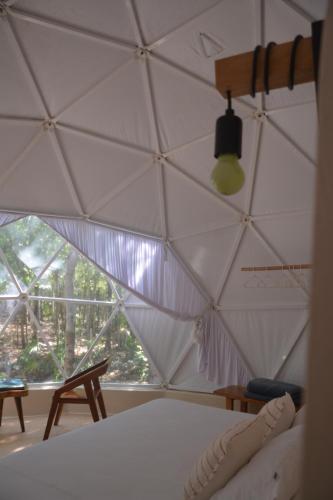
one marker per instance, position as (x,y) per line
(224,457)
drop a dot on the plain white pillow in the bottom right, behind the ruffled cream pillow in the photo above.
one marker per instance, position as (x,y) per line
(274,473)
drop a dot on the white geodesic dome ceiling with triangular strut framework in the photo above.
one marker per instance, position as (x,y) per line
(107,114)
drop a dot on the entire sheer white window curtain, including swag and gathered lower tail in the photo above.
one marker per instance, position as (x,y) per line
(147,267)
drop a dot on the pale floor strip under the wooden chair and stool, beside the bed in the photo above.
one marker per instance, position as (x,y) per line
(13,440)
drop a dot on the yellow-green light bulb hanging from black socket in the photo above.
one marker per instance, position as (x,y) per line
(228,176)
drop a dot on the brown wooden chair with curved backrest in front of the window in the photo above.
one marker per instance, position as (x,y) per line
(65,394)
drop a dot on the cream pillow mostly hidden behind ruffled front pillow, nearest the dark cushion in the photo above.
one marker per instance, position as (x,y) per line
(279,414)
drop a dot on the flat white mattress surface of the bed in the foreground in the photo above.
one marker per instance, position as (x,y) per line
(142,454)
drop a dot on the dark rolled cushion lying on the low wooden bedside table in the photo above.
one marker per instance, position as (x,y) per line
(266,389)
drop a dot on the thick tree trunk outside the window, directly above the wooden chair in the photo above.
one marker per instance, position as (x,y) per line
(70,314)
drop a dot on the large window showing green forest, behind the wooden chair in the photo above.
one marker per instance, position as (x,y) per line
(59,313)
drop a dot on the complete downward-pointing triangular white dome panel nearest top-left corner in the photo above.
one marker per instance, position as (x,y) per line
(56,50)
